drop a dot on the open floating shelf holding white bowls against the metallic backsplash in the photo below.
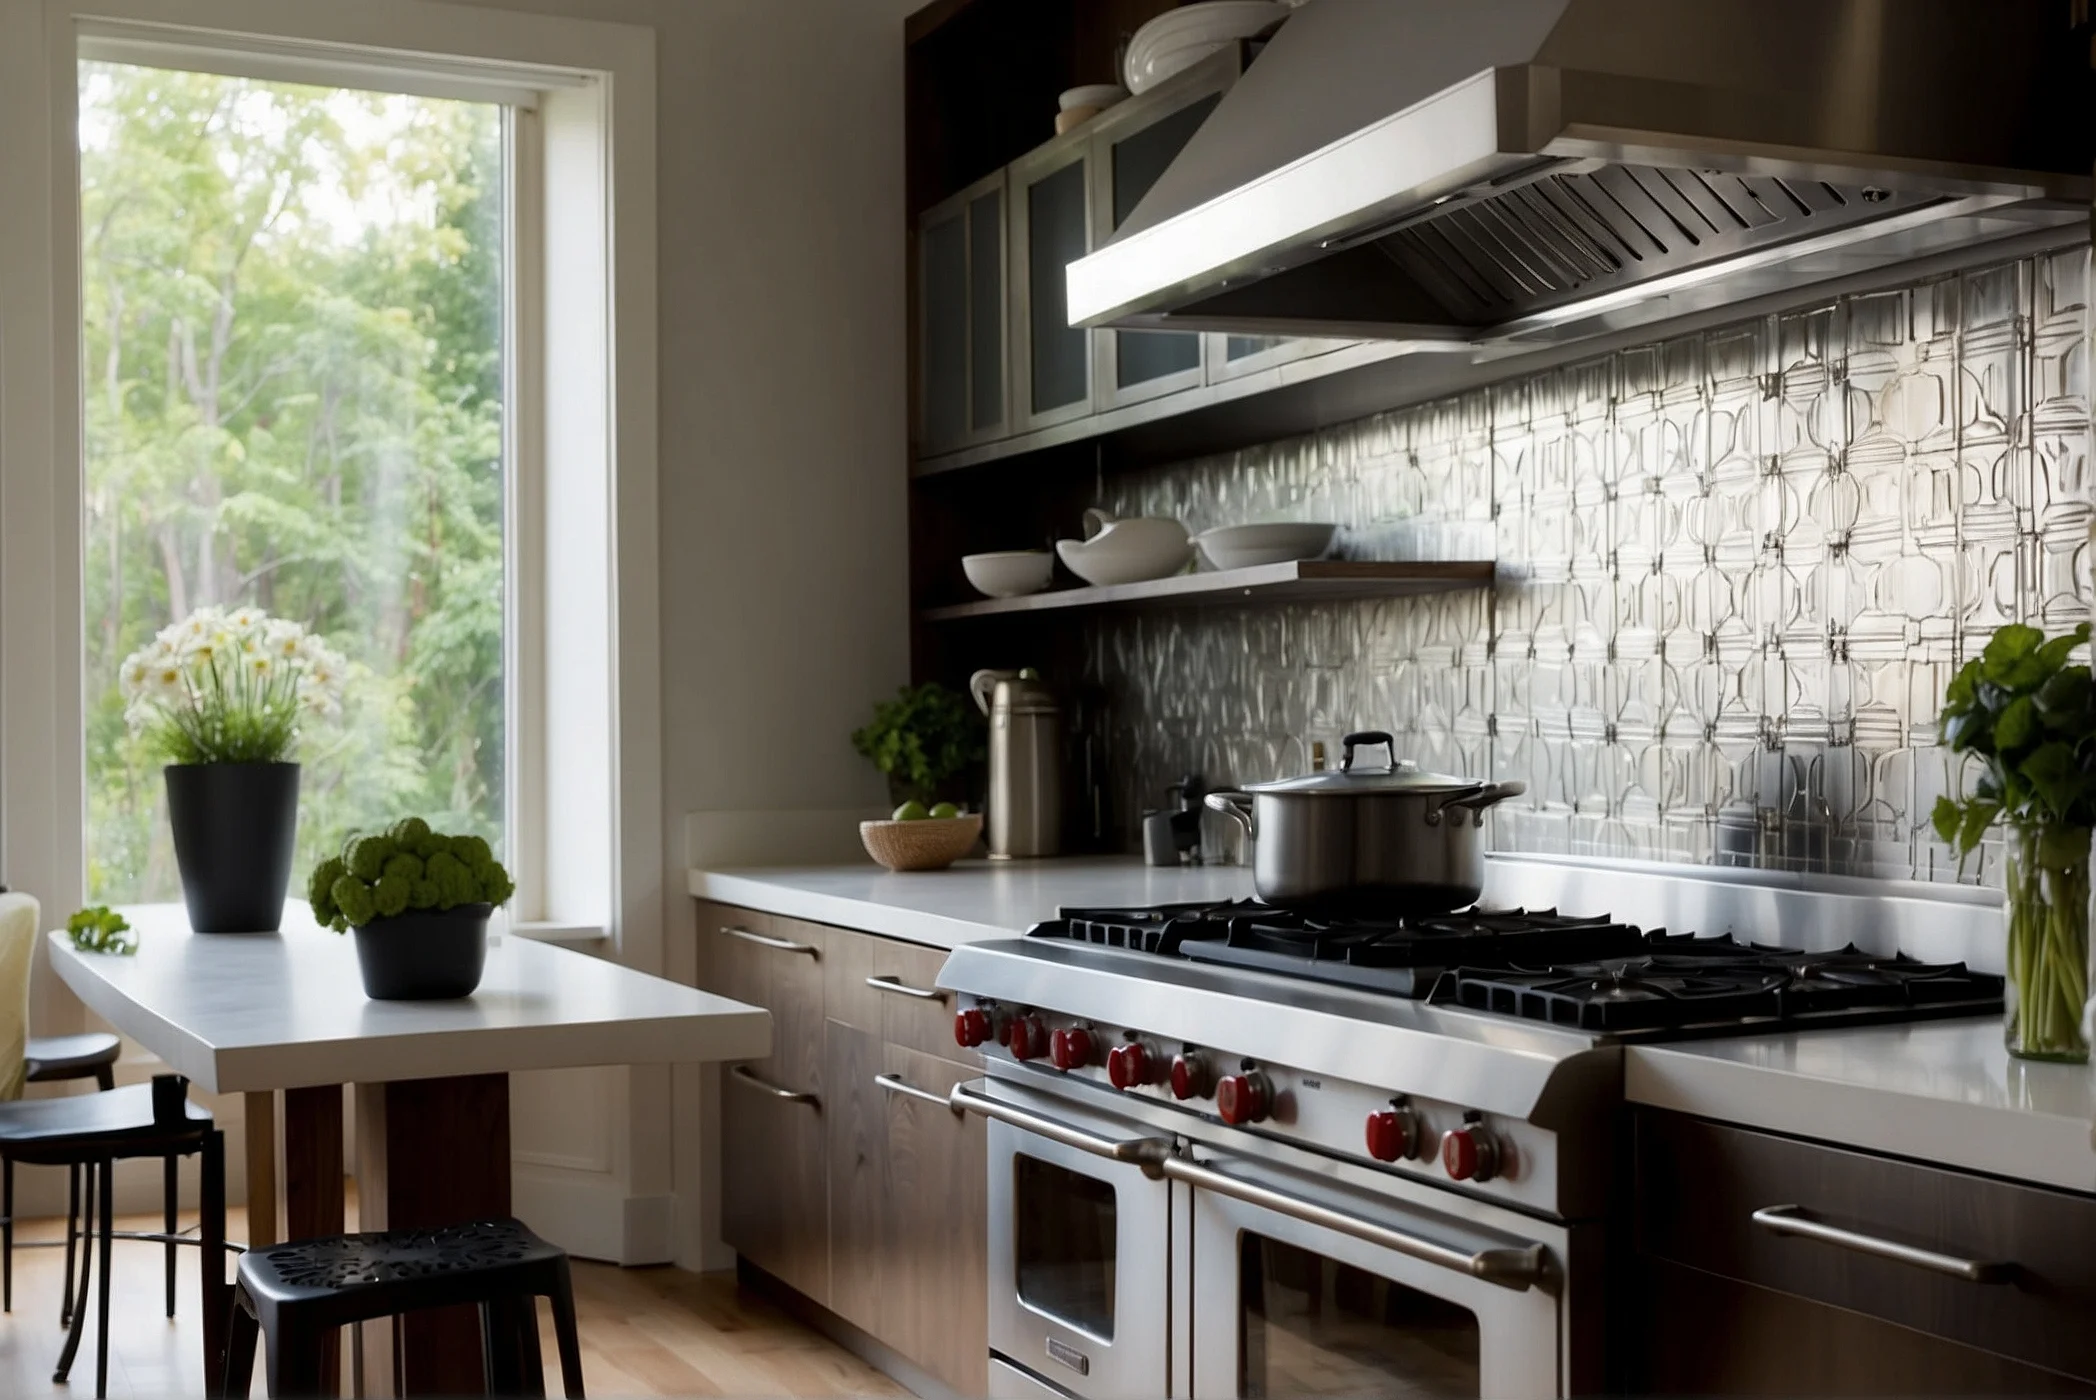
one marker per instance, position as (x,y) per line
(1271,584)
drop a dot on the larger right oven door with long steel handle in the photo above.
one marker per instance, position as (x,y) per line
(1309,1286)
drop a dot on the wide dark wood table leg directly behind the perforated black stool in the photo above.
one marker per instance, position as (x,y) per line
(431,1154)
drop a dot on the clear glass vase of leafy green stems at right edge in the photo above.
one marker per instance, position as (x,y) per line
(2030,720)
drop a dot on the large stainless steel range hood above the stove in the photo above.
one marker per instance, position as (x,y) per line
(1475,173)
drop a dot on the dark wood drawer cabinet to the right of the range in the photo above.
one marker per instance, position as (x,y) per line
(1911,1279)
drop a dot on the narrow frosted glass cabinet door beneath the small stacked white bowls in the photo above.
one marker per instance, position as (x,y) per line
(1051,204)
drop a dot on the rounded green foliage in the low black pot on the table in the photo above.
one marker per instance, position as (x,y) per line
(406,869)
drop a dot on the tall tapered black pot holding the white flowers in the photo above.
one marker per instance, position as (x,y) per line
(234,833)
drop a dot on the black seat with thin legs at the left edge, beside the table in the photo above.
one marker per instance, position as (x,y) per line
(91,1133)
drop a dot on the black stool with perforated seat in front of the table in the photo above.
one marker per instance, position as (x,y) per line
(297,1294)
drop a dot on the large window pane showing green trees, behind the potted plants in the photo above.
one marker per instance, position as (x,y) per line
(297,362)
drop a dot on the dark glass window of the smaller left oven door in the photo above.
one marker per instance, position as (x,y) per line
(1066,1233)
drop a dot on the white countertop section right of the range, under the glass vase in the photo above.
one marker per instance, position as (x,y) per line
(1938,1091)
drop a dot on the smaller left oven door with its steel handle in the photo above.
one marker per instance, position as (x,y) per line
(1080,1235)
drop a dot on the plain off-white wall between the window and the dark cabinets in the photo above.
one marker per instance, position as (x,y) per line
(783,500)
